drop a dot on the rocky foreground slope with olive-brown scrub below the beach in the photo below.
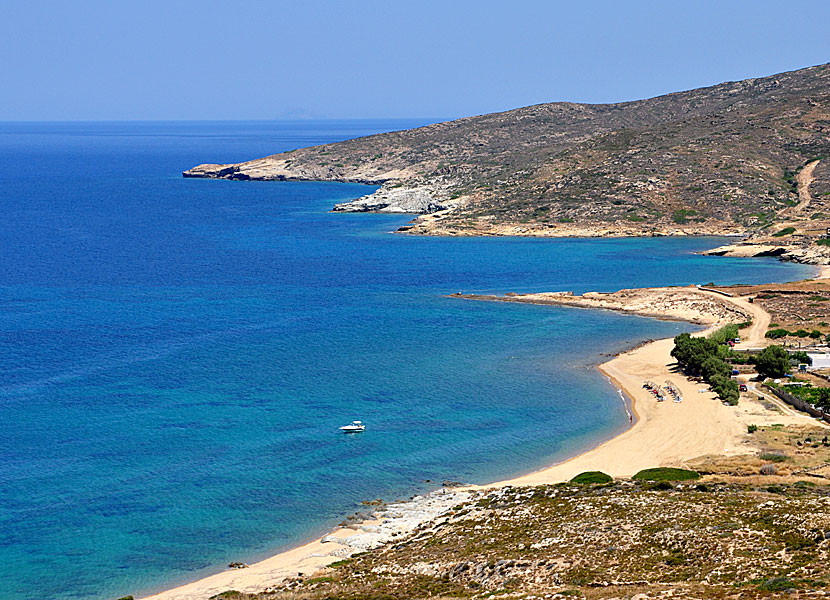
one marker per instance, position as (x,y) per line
(624,540)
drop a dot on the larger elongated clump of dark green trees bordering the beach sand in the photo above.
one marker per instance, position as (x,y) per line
(705,357)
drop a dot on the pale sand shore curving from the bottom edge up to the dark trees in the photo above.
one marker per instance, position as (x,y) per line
(660,434)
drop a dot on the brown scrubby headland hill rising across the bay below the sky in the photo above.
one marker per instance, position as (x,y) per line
(726,158)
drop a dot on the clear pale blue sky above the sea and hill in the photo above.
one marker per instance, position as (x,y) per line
(168,59)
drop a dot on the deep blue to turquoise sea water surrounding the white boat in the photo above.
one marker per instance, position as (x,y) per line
(176,355)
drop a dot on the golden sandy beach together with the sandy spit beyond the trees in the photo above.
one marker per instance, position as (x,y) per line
(663,434)
